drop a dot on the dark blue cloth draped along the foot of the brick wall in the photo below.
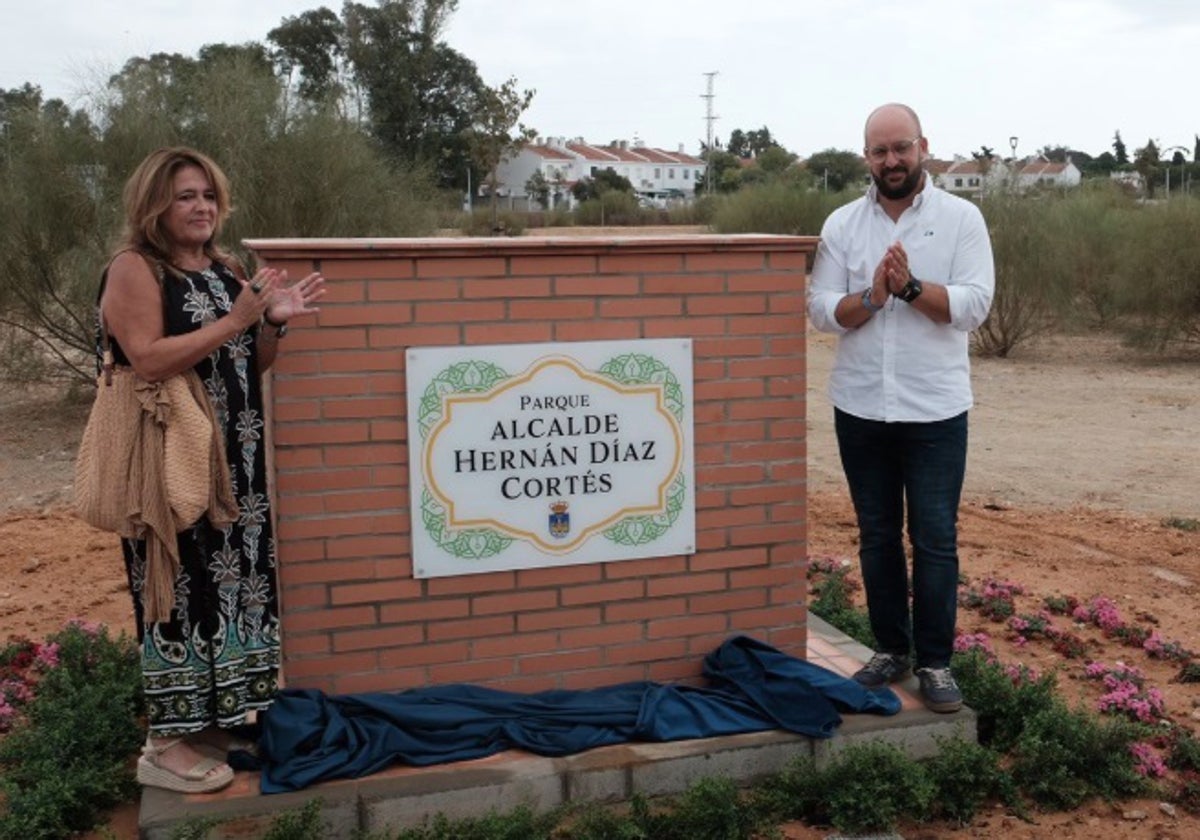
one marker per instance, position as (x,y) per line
(310,737)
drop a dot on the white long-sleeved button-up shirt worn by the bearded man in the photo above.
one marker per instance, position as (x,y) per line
(901,365)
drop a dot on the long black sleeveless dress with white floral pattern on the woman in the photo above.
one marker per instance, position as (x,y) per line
(218,658)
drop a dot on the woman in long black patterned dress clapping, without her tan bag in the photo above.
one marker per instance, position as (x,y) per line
(173,301)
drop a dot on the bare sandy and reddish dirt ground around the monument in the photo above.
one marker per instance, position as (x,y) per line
(1081,455)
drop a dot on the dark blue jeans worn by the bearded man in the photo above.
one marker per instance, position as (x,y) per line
(922,464)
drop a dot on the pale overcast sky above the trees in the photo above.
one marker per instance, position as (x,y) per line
(1049,73)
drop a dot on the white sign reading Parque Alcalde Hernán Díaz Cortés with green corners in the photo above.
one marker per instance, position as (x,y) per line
(525,457)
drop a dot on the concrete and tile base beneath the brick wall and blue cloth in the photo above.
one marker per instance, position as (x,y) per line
(407,796)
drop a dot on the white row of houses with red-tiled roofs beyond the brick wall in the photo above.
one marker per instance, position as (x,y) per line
(657,176)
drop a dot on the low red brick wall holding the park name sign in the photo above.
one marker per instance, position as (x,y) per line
(355,619)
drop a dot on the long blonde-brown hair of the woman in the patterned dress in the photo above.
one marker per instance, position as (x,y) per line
(149,194)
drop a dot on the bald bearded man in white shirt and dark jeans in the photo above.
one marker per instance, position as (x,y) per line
(903,275)
